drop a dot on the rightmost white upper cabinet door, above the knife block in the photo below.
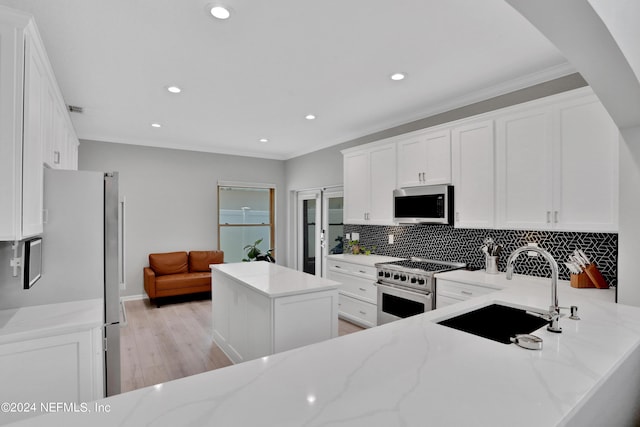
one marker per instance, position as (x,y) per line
(586,189)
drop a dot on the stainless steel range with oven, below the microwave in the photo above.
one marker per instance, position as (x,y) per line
(407,287)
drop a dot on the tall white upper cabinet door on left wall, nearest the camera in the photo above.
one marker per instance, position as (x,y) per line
(35,94)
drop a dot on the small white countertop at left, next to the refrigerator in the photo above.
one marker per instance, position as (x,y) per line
(41,321)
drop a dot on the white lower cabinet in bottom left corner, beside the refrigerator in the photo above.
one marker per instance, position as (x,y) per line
(65,368)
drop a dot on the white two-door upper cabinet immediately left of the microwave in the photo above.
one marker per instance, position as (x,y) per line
(369,181)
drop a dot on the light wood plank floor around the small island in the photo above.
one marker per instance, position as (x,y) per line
(171,342)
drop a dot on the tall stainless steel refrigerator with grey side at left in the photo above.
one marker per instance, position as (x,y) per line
(82,250)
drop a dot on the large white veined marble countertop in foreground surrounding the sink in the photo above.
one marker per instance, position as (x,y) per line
(414,372)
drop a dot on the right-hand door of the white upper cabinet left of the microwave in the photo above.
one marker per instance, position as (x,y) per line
(382,162)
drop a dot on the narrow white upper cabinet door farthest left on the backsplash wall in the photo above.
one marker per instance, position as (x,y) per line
(356,187)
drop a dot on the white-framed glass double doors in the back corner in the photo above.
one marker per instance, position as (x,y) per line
(320,228)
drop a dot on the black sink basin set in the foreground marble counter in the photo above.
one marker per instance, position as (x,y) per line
(496,322)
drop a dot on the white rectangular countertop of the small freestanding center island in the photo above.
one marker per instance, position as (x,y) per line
(273,280)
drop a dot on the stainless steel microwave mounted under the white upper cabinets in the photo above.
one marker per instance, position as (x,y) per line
(429,204)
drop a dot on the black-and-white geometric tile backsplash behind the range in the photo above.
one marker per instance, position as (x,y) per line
(446,243)
